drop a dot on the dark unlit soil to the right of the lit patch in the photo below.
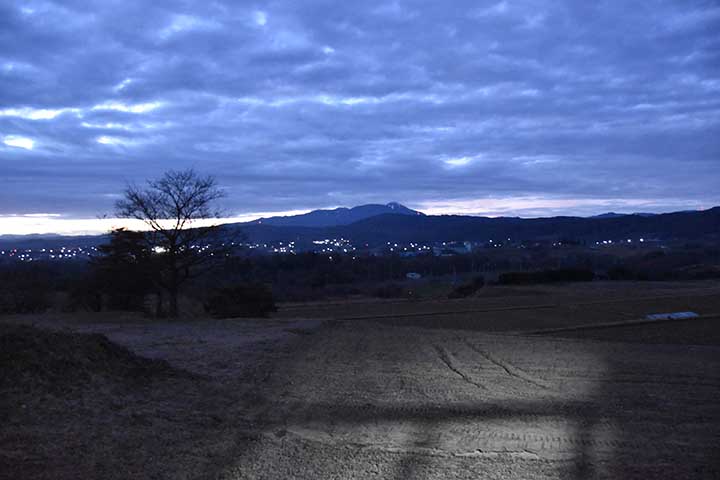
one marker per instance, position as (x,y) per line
(663,408)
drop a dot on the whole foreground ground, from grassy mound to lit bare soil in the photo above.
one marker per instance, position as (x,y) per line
(395,396)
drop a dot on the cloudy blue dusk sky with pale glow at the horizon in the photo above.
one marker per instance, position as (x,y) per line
(523,108)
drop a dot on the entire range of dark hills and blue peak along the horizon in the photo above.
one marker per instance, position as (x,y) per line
(411,226)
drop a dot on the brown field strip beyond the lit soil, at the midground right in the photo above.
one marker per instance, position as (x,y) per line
(510,309)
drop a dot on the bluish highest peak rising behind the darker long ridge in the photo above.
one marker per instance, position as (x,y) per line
(335,217)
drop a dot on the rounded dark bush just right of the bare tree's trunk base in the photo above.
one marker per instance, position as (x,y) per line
(244,300)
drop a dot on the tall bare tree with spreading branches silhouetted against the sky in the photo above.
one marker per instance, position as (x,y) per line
(171,207)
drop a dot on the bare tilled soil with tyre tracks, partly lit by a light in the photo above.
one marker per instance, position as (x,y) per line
(360,401)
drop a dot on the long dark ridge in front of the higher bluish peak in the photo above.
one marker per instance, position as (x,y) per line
(379,229)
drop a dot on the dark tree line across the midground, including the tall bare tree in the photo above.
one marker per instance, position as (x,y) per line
(182,254)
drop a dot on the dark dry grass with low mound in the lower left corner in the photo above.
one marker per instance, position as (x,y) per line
(80,406)
